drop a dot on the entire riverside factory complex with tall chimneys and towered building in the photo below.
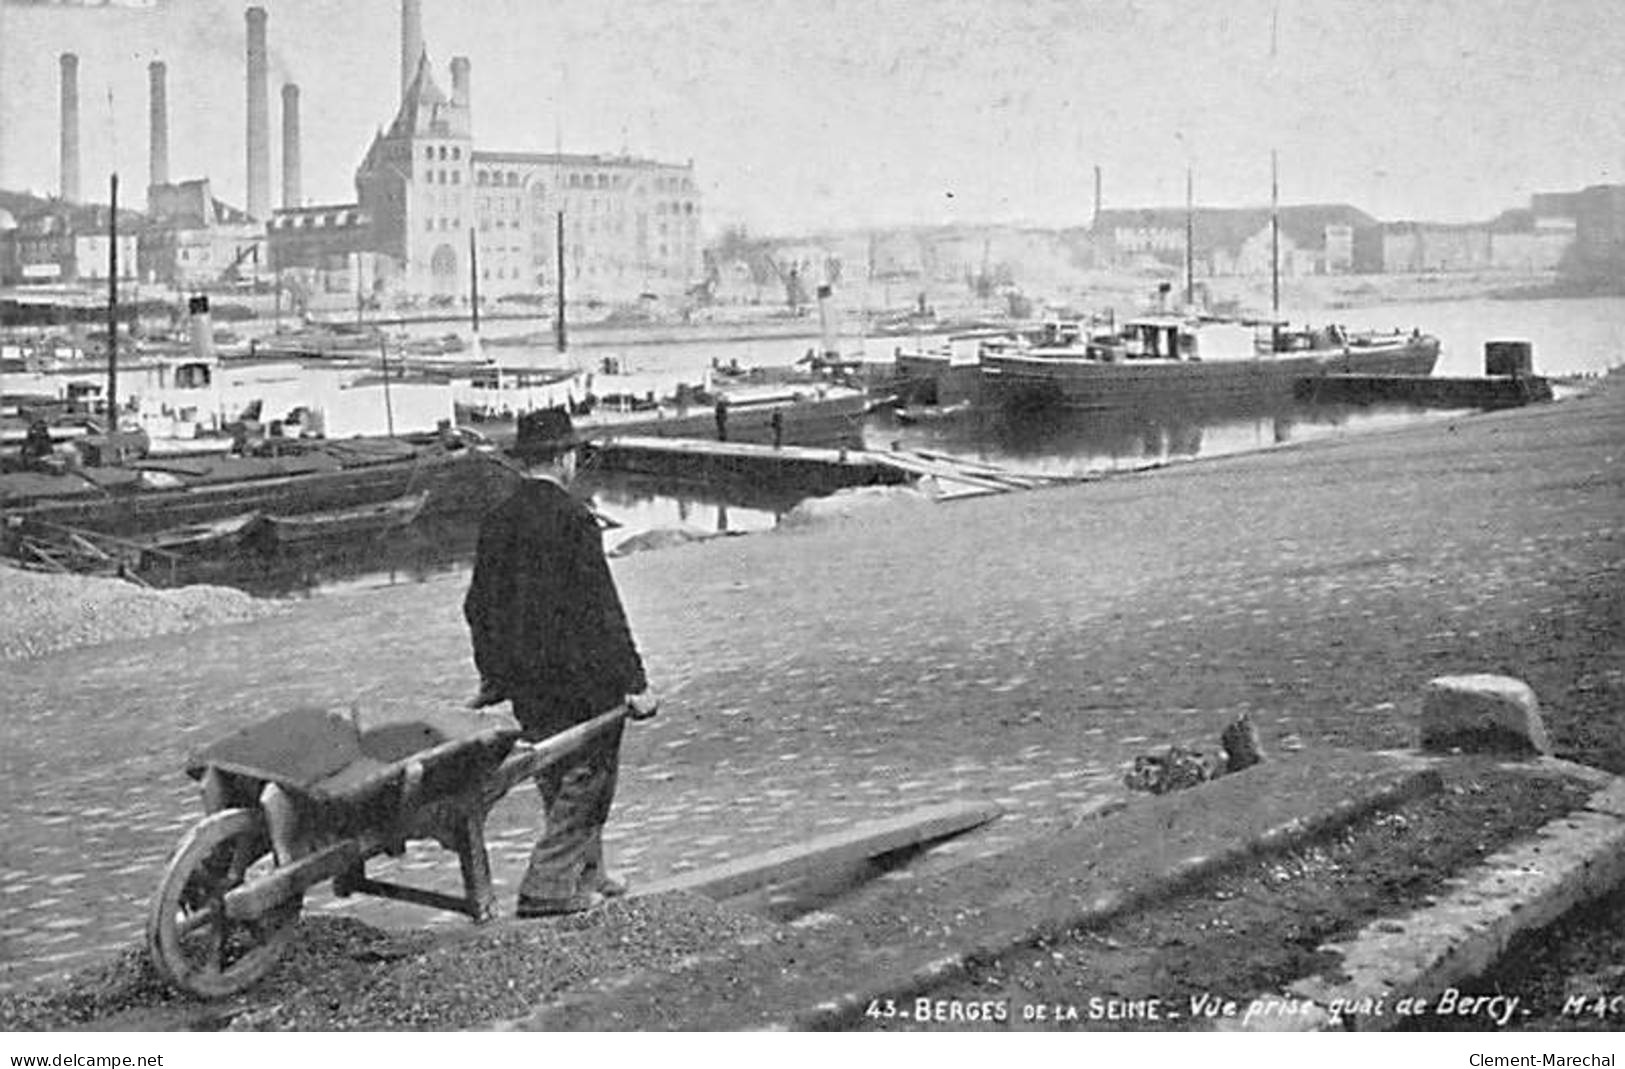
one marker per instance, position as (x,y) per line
(435,214)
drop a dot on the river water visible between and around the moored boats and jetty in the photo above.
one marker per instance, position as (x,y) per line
(1571,337)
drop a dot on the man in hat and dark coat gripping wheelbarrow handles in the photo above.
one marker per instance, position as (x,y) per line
(550,636)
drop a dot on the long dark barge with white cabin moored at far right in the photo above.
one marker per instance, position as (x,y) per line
(1168,361)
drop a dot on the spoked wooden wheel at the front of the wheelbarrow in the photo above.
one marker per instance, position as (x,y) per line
(191,940)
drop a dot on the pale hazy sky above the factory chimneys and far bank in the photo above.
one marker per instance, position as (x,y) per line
(830,115)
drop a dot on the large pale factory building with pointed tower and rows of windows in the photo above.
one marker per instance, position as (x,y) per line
(436,215)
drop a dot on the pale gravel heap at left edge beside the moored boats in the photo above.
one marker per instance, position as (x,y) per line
(45,613)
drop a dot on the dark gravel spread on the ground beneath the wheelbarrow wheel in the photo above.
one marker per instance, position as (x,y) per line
(347,976)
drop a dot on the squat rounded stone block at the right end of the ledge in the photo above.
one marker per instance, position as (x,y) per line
(1483,714)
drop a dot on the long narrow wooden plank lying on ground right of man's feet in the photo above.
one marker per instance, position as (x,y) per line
(826,852)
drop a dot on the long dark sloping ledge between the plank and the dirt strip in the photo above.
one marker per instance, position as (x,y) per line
(826,969)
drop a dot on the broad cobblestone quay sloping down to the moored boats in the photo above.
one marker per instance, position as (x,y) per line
(1018,647)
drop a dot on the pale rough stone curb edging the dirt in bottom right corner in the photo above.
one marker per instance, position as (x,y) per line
(1419,958)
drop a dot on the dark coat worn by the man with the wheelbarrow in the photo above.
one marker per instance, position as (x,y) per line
(544,608)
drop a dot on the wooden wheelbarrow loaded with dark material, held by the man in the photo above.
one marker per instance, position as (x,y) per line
(308,797)
